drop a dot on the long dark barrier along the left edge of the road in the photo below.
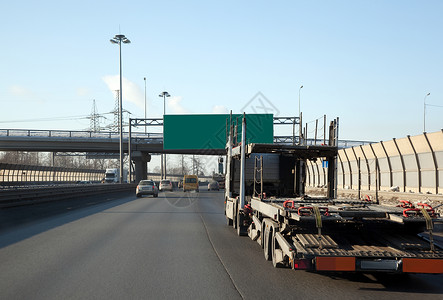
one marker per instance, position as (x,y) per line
(28,196)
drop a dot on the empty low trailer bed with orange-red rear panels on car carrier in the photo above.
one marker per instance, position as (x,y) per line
(344,235)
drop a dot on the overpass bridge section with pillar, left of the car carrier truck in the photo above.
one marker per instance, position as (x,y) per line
(94,144)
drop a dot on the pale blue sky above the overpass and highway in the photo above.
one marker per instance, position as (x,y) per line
(370,63)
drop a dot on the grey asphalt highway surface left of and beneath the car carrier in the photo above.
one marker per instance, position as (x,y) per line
(176,246)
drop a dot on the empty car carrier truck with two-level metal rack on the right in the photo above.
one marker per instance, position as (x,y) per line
(265,199)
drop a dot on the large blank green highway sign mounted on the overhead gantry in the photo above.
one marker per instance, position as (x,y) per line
(209,131)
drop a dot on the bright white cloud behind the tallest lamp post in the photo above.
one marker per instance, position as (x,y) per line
(131,91)
